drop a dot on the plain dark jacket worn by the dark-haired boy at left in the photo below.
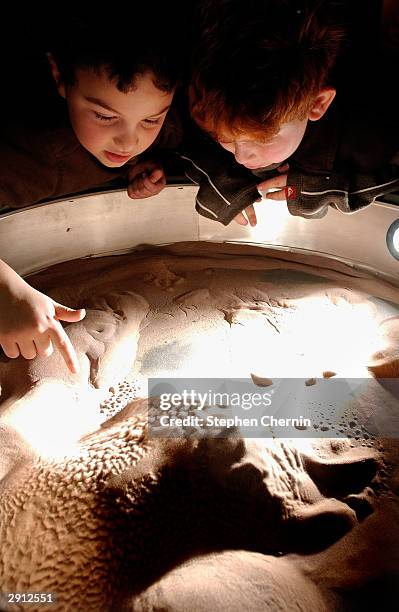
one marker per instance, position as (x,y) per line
(48,163)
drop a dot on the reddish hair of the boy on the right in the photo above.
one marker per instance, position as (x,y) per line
(260,63)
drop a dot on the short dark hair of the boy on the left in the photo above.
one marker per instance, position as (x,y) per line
(126,41)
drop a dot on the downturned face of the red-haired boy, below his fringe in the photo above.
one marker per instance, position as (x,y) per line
(254,154)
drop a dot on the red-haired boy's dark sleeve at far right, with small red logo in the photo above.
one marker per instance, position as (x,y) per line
(365,165)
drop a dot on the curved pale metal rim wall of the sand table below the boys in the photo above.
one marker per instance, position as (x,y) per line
(110,223)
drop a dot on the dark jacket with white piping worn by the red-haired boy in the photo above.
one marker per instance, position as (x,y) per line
(346,160)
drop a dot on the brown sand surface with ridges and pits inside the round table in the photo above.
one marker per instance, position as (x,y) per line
(98,511)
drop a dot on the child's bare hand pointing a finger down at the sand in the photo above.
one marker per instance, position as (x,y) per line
(29,321)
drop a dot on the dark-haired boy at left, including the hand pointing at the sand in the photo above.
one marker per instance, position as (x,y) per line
(116,81)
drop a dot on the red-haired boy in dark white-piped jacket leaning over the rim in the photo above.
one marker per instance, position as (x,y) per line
(293,90)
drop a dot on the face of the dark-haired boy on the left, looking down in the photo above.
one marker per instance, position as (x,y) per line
(112,125)
